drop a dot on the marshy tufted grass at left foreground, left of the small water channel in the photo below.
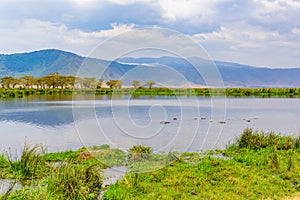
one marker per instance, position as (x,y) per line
(59,175)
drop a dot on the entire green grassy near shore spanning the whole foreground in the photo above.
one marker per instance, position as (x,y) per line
(256,165)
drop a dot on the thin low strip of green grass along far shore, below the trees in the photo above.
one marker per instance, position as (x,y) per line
(230,92)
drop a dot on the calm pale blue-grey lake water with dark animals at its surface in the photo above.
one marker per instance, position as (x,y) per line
(61,123)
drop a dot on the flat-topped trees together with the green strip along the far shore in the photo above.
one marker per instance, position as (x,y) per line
(56,84)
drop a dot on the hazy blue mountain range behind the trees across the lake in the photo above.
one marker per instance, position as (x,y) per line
(164,70)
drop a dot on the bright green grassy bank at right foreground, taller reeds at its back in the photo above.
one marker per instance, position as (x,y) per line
(249,171)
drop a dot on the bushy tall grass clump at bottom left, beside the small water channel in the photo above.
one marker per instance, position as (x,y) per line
(67,181)
